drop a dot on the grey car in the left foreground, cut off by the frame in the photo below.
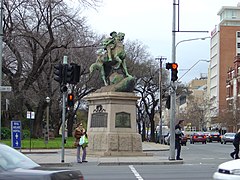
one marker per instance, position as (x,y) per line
(15,165)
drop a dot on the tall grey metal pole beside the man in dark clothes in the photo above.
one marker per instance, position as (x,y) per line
(173,92)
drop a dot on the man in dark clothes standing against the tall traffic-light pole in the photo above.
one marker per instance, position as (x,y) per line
(178,136)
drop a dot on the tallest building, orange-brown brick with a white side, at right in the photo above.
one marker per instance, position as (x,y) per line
(225,45)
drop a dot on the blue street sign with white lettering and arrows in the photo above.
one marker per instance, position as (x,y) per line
(16,134)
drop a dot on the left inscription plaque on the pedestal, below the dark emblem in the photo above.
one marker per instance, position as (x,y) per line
(99,119)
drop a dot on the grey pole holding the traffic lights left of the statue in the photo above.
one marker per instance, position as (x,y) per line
(63,116)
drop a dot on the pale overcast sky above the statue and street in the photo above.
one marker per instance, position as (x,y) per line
(150,21)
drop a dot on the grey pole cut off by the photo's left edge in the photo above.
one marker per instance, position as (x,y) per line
(1,35)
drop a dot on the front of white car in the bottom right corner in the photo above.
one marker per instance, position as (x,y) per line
(228,170)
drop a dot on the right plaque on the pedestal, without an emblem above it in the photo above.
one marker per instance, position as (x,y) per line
(123,120)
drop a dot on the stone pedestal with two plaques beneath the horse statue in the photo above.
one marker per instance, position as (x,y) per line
(112,126)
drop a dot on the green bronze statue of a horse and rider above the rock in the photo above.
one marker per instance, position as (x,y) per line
(113,58)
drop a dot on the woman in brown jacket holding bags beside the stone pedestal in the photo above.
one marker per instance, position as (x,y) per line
(78,133)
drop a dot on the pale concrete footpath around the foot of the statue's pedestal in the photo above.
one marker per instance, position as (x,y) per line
(53,157)
